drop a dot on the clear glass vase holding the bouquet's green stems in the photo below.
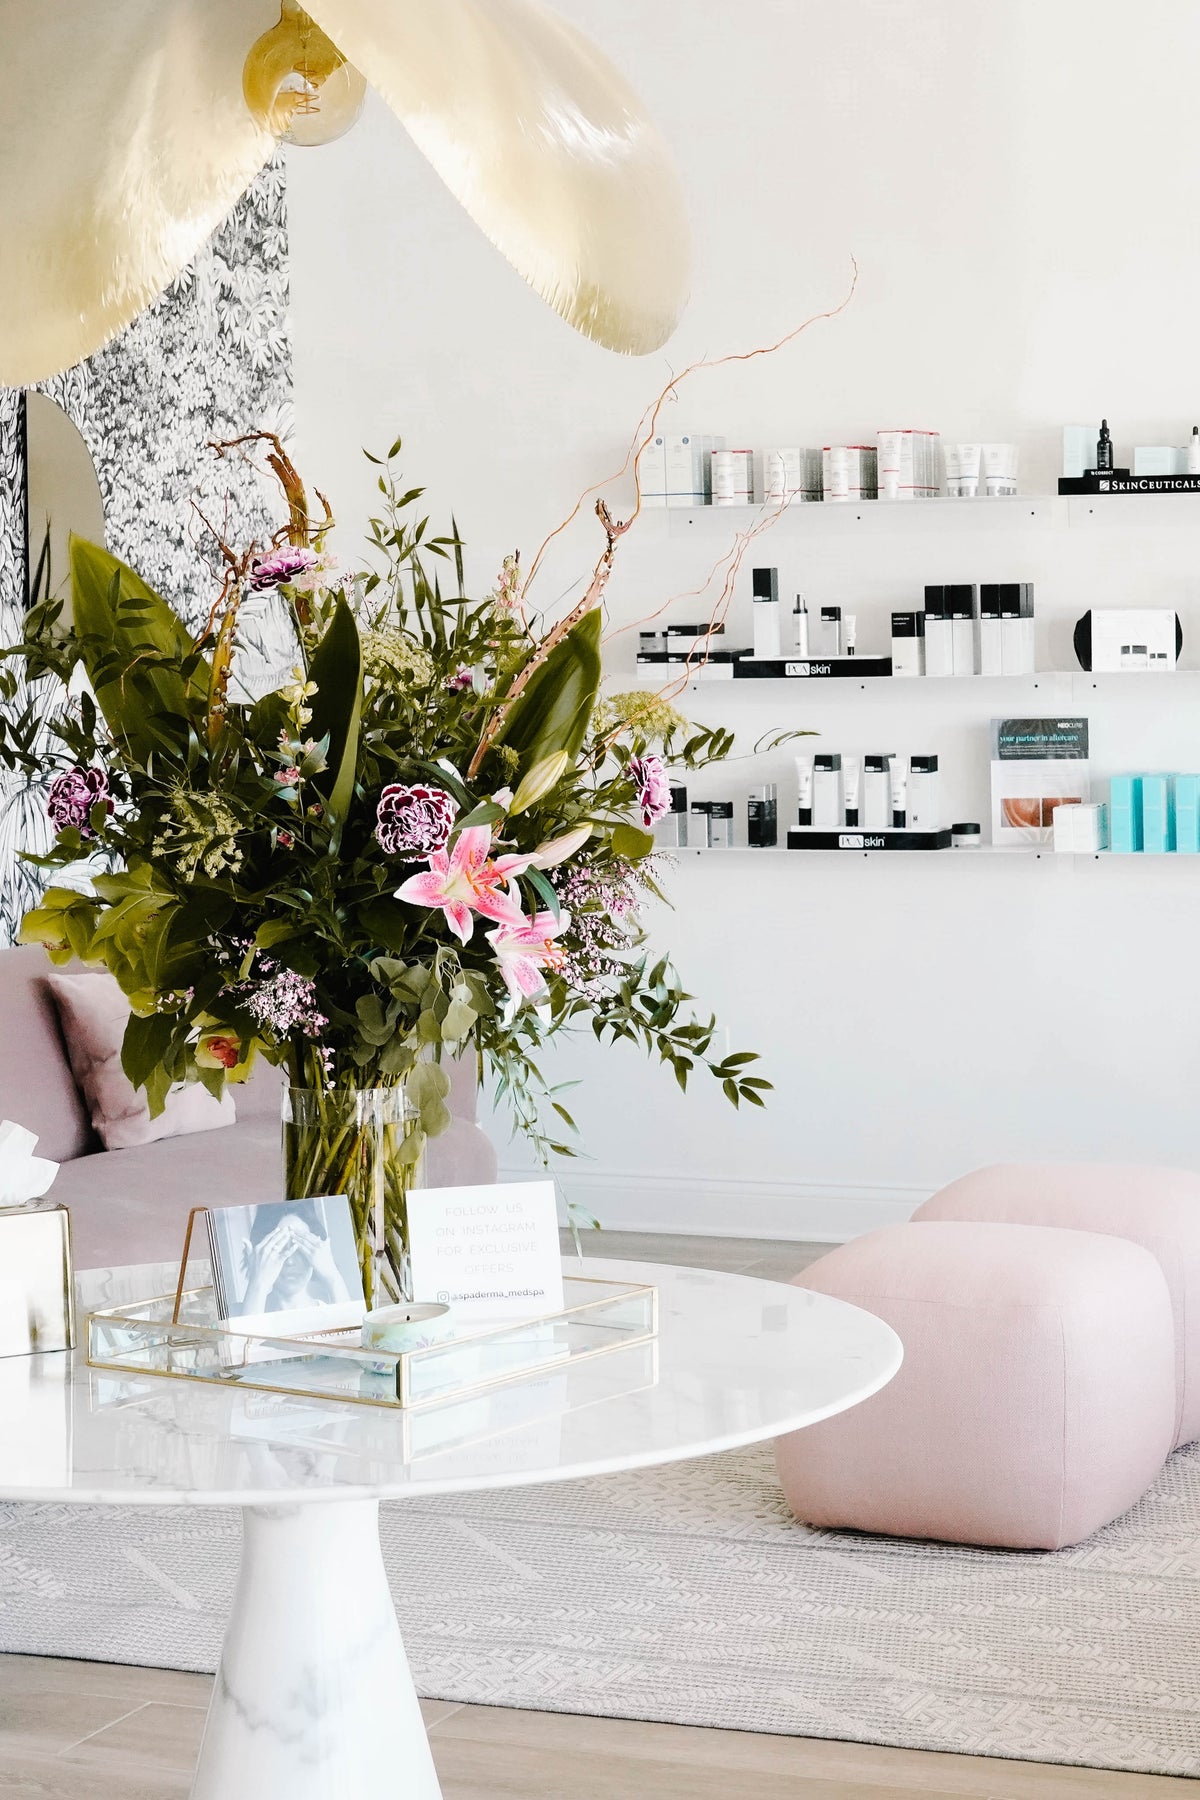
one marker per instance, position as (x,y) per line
(363,1142)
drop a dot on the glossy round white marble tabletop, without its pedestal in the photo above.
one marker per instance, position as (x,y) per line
(737,1360)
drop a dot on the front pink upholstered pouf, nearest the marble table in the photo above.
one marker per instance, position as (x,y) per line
(1035,1401)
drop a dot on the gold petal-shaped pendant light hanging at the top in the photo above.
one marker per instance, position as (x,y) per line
(161,112)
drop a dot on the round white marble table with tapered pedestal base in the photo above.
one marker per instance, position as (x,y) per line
(314,1698)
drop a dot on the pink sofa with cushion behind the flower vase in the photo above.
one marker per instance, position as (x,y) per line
(132,1205)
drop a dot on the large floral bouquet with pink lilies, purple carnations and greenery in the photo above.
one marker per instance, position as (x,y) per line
(434,840)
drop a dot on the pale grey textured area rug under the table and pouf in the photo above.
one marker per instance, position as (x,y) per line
(690,1596)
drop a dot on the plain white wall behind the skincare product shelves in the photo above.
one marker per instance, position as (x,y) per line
(1019,184)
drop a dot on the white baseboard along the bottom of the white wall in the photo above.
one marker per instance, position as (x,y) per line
(722,1207)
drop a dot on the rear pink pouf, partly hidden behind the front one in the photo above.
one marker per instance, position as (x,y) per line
(1152,1207)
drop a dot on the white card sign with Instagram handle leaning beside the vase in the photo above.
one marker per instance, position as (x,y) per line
(492,1254)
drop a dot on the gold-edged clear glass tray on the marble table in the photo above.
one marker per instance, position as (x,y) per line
(147,1338)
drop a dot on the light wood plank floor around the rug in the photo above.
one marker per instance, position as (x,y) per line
(98,1732)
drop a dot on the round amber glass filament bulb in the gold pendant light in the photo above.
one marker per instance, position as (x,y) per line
(300,85)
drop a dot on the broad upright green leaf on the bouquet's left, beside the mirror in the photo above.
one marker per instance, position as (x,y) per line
(132,643)
